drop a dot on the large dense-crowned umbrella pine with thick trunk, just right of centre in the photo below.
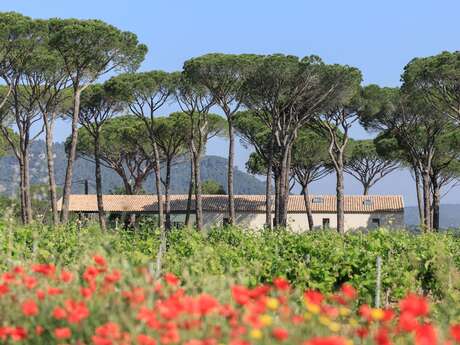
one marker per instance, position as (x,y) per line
(286,92)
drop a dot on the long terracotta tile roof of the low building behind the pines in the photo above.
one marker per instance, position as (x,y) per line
(243,203)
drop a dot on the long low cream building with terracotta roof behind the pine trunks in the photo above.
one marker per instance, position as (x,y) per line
(361,211)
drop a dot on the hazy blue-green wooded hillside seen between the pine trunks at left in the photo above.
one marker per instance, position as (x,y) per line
(212,167)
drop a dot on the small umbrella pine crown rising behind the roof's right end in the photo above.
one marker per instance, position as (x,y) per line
(366,165)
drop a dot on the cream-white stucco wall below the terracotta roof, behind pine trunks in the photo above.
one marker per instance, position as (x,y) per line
(298,221)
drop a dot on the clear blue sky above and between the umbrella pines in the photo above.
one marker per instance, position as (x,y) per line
(379,37)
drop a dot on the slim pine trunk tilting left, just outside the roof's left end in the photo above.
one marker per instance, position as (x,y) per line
(49,128)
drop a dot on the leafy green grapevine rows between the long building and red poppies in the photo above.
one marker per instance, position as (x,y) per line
(323,260)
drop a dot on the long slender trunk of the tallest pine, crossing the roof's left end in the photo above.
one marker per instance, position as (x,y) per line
(71,159)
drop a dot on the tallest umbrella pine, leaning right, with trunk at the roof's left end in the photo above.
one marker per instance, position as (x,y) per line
(89,49)
